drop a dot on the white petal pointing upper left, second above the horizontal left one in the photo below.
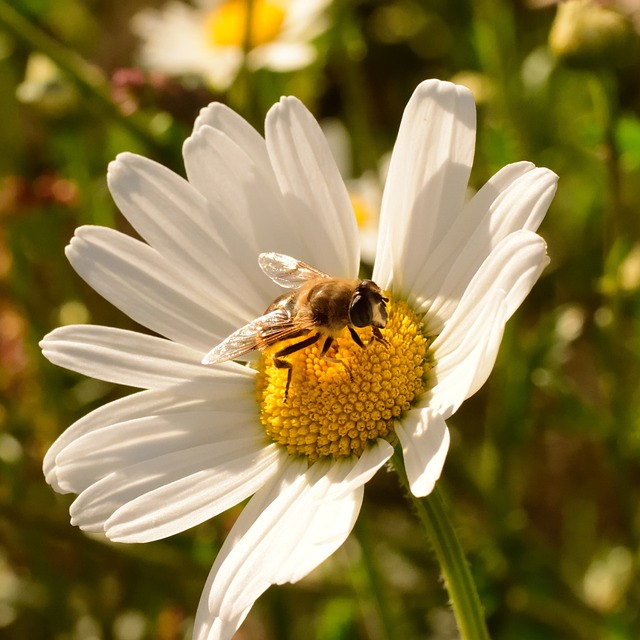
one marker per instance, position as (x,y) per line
(176,220)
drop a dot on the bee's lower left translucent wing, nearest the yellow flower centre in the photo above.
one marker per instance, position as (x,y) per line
(258,334)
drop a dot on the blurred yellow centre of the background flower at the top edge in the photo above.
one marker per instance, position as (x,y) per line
(227,24)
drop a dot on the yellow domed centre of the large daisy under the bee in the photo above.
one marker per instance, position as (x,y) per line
(336,408)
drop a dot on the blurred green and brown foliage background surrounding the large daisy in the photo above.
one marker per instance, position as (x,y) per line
(543,477)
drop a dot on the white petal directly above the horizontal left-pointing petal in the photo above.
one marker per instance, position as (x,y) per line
(135,279)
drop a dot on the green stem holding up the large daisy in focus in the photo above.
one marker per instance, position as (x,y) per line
(455,568)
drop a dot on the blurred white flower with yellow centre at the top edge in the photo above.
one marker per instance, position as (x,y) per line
(208,40)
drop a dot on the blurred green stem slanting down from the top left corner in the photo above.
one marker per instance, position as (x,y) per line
(87,77)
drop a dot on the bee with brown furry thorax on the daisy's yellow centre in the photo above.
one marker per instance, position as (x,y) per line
(317,307)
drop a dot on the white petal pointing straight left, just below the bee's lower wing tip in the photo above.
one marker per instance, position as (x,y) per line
(138,360)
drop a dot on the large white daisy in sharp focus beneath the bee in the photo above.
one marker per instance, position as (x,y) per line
(199,439)
